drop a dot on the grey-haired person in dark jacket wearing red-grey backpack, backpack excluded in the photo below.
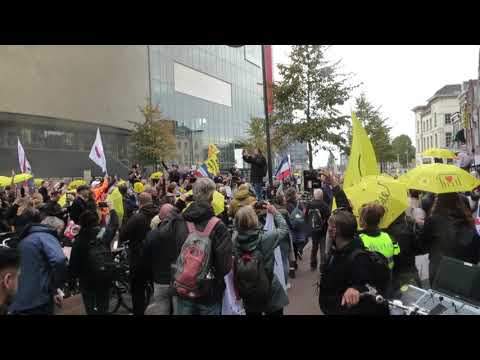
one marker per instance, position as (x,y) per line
(200,214)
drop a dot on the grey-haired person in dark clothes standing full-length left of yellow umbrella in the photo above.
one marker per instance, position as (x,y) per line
(317,213)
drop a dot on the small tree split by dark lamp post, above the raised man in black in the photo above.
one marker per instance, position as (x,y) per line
(256,135)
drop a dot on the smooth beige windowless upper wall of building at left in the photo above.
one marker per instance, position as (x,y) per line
(93,83)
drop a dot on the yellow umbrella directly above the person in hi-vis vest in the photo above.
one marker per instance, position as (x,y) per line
(388,192)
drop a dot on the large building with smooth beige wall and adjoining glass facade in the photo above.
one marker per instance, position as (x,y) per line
(55,97)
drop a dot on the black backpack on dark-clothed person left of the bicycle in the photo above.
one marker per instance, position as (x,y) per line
(100,262)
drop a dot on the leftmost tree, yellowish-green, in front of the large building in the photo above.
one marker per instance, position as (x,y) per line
(154,138)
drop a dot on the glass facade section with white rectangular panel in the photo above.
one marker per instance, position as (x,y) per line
(213,90)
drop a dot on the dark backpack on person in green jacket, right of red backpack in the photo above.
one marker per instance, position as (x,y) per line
(251,279)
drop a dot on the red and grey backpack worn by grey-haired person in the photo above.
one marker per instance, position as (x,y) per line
(193,274)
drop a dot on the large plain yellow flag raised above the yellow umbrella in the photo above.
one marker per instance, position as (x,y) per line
(362,161)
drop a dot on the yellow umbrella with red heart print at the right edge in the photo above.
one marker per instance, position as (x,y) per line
(439,179)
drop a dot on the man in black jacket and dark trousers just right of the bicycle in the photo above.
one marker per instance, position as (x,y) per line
(135,231)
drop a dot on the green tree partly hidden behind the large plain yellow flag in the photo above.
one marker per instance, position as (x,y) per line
(376,127)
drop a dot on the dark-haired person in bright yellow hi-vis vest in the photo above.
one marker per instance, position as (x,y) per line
(372,237)
